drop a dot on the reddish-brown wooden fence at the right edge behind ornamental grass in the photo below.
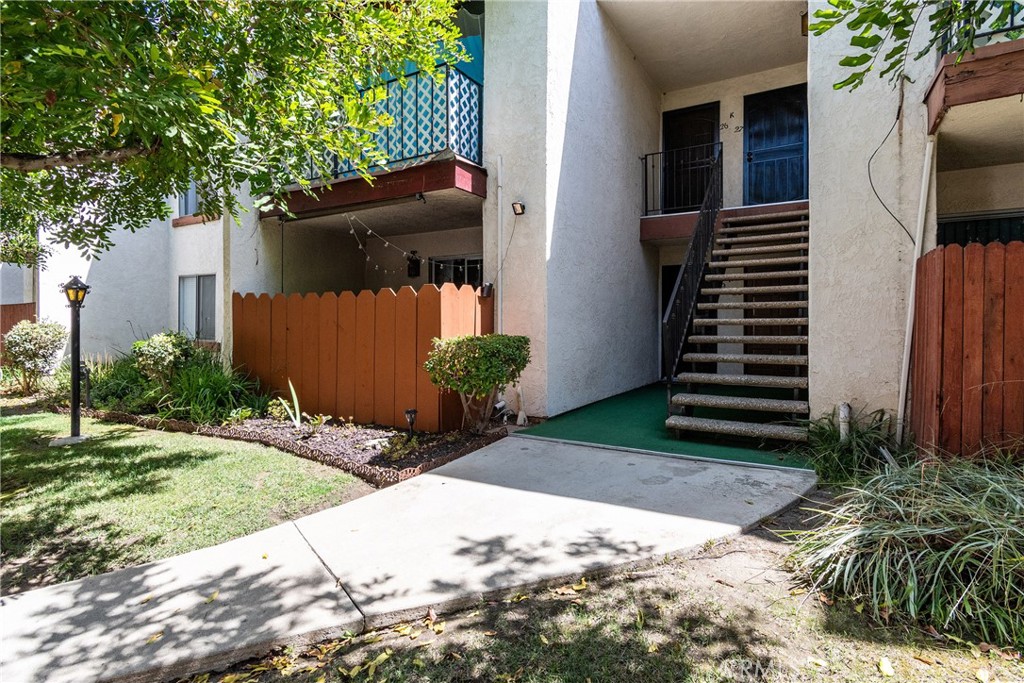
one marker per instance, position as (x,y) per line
(967,373)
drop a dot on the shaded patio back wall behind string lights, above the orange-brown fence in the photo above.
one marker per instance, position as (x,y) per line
(440,244)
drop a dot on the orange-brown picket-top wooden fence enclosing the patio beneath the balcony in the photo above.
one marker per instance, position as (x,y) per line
(360,356)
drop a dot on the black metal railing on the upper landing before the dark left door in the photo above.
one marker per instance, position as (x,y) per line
(676,181)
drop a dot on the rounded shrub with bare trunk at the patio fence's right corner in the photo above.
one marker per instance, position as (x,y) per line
(478,368)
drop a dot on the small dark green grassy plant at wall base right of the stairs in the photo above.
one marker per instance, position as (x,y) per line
(839,461)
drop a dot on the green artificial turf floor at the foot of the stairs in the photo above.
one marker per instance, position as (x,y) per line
(636,420)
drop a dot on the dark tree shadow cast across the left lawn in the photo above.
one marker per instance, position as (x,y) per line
(53,531)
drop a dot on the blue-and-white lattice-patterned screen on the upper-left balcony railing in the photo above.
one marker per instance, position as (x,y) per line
(431,117)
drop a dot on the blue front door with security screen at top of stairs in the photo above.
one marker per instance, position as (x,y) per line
(776,146)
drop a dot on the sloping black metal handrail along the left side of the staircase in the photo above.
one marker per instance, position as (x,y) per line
(679,315)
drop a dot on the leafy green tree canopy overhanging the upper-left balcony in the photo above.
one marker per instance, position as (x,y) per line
(110,108)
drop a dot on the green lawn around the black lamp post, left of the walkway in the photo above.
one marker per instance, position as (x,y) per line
(130,496)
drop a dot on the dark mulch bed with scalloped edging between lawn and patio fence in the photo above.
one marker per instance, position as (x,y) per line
(379,456)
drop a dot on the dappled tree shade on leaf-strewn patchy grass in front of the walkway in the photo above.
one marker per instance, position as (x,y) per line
(567,639)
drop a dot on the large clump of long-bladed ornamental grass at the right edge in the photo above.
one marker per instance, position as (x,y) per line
(942,543)
